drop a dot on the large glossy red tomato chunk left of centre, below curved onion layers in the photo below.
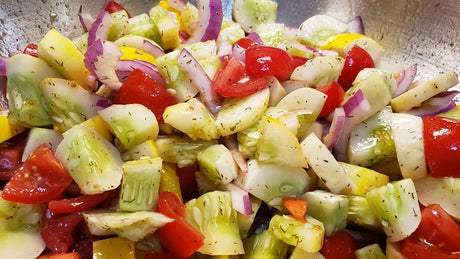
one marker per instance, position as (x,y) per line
(141,88)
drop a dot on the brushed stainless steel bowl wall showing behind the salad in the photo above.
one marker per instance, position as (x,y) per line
(412,31)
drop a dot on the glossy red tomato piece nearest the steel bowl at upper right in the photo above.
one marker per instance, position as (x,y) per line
(356,60)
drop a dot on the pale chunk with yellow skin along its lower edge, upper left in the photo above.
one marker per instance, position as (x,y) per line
(64,56)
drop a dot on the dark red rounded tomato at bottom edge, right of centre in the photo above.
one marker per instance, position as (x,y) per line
(339,245)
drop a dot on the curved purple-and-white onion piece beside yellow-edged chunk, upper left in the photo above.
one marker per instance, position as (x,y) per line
(101,60)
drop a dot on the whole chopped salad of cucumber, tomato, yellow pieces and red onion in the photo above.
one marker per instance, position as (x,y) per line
(179,133)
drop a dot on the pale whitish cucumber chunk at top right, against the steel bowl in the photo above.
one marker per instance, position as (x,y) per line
(317,29)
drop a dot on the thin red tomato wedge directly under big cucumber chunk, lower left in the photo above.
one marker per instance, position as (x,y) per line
(80,203)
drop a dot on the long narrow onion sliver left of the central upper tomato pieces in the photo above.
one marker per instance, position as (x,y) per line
(200,80)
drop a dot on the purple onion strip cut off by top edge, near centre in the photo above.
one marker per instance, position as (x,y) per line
(210,22)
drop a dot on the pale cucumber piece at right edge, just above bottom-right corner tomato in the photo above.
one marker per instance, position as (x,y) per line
(444,191)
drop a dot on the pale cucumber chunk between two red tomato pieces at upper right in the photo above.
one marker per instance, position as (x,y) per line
(319,71)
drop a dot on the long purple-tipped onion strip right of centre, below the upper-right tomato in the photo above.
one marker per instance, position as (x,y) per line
(357,109)
